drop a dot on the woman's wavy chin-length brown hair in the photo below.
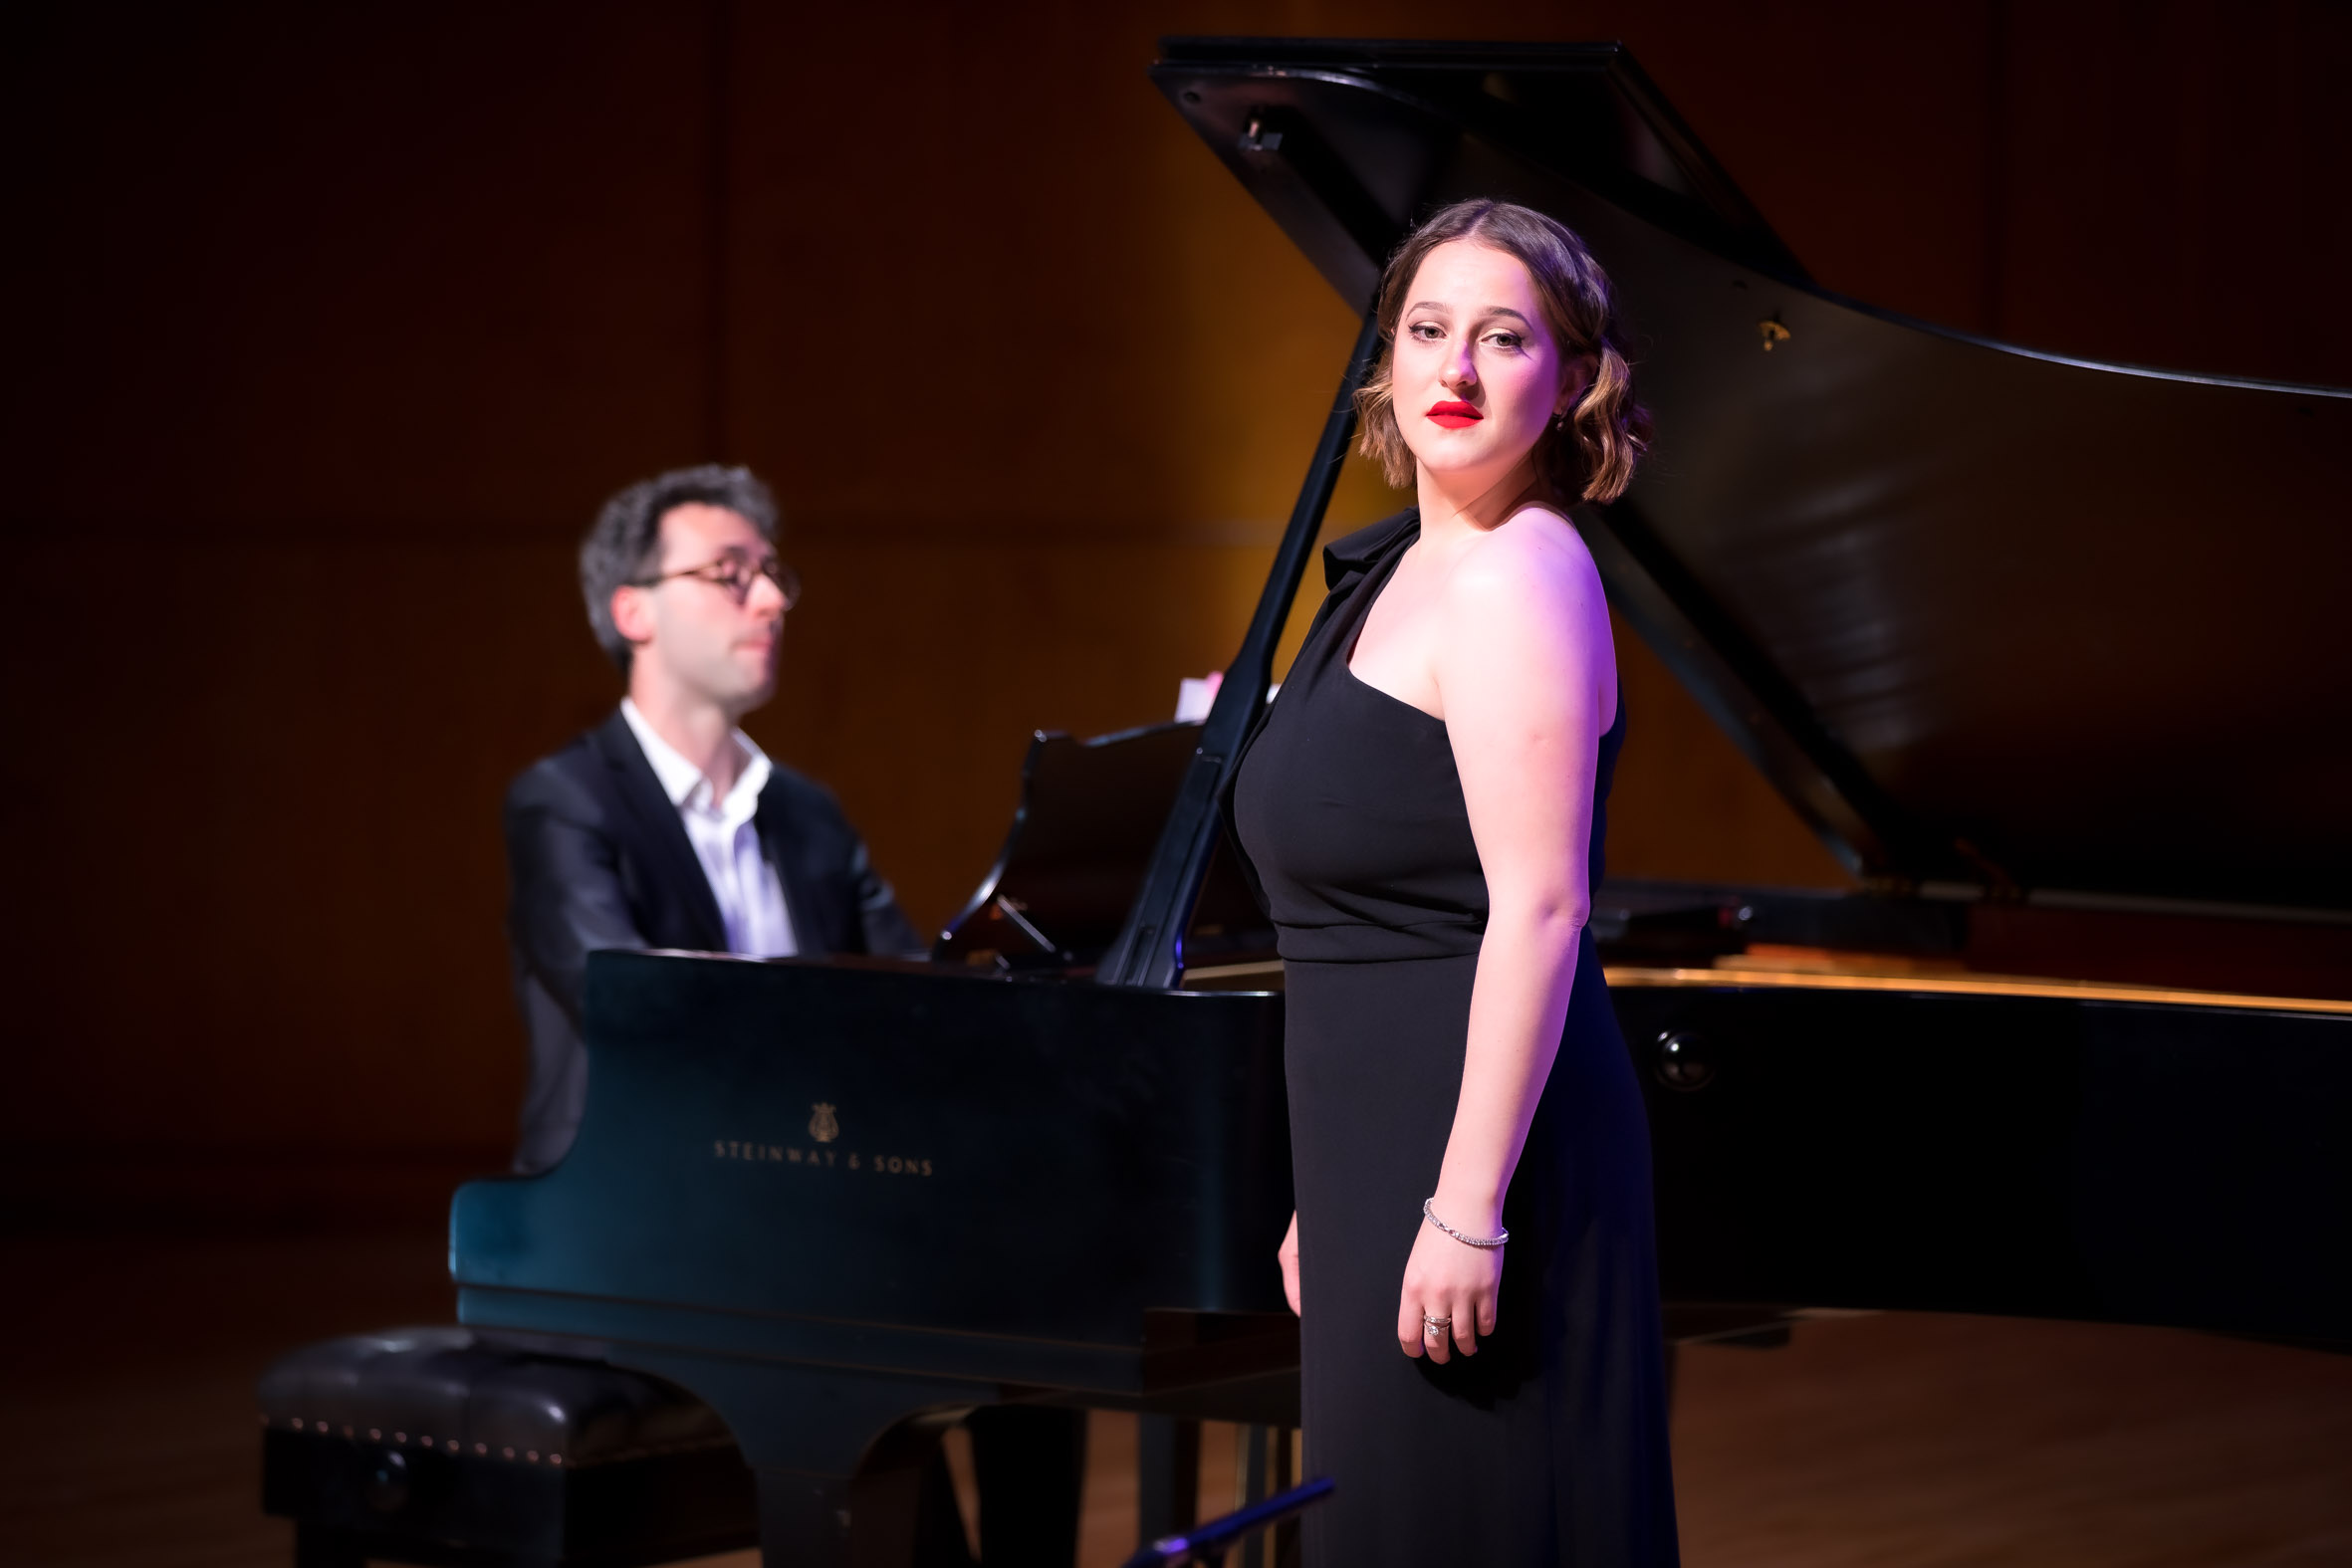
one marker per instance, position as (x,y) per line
(1591,455)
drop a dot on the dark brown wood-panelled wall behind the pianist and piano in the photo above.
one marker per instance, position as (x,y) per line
(328,328)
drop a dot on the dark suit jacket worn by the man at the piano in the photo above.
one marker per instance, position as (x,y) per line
(599,859)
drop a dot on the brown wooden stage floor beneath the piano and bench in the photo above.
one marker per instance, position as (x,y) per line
(1869,1442)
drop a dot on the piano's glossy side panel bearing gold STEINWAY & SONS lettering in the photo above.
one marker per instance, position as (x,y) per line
(881,1167)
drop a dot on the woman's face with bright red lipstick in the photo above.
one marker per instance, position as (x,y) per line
(1476,373)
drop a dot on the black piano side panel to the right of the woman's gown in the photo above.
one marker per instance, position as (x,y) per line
(2014,1155)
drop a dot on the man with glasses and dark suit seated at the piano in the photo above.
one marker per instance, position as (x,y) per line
(667,826)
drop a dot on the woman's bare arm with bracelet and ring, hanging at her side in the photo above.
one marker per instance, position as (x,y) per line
(1530,685)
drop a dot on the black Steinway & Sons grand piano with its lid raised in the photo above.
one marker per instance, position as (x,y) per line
(2066,695)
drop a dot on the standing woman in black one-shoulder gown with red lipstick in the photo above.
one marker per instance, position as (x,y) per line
(1424,817)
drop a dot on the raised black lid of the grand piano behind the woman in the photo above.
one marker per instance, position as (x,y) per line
(1991,619)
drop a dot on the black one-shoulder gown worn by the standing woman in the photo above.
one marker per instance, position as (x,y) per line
(1551,1445)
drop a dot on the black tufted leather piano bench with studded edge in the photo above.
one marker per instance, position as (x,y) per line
(439,1447)
